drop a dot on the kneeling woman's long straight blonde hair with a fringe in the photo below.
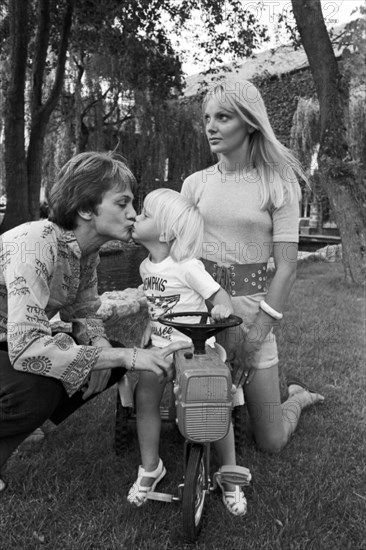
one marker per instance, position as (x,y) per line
(276,165)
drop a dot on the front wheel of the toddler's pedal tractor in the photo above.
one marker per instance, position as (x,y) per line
(194,493)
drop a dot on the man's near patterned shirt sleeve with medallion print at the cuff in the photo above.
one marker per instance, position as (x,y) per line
(28,268)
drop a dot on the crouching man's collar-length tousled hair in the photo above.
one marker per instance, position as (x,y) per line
(82,183)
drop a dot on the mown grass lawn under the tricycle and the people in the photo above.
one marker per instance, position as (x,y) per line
(70,493)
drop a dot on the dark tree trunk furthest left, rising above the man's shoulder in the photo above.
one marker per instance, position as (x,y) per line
(15,161)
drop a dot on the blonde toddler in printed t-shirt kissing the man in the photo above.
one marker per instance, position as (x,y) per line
(170,227)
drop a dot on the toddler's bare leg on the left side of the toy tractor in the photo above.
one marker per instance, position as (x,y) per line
(148,396)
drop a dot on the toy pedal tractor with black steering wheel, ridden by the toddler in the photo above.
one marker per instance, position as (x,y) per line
(201,406)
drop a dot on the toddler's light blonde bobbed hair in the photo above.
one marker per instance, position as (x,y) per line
(179,221)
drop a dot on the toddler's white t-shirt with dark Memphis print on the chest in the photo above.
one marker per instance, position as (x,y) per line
(174,287)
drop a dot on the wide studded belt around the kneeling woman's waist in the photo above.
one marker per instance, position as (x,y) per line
(239,279)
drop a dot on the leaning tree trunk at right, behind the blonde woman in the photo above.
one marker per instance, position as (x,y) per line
(340,176)
